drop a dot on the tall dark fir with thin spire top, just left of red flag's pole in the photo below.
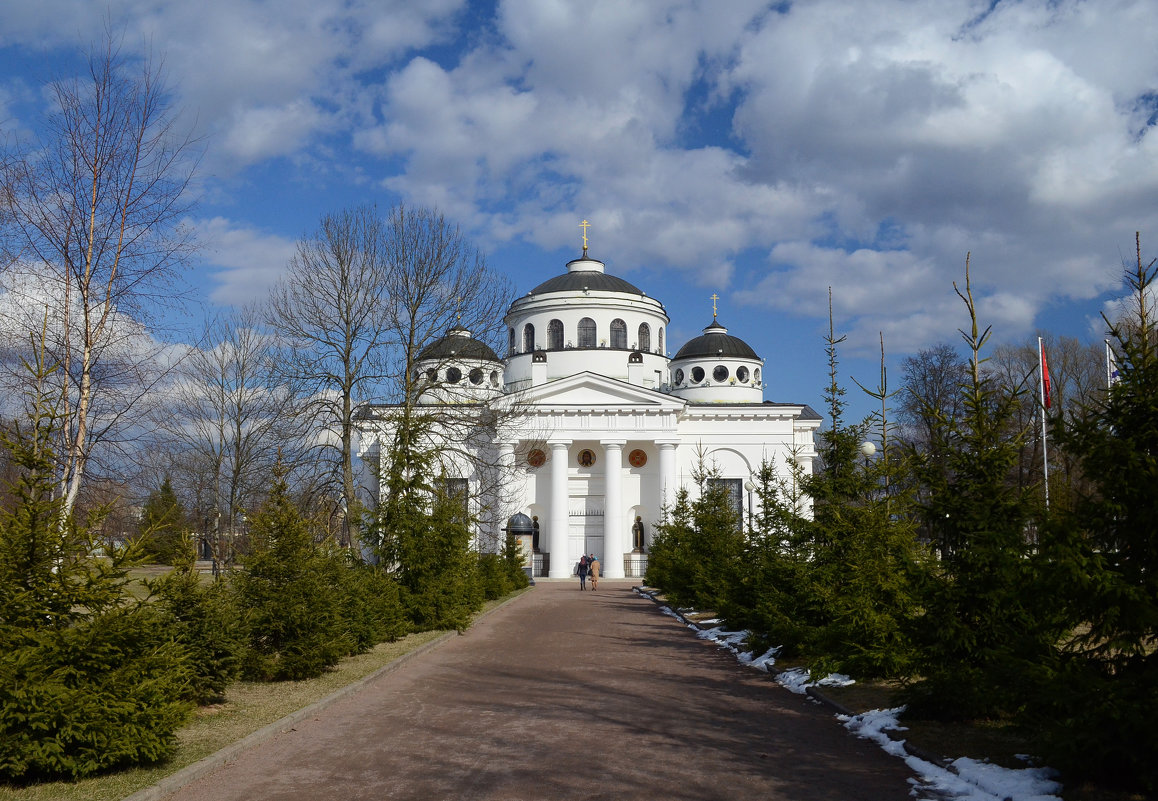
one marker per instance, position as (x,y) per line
(986,624)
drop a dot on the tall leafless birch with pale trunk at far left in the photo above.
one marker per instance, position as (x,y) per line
(93,211)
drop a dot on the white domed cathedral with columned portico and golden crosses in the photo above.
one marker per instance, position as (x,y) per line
(598,427)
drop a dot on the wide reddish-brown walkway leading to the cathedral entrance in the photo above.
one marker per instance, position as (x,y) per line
(567,695)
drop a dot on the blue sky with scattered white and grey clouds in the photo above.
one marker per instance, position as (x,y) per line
(761,152)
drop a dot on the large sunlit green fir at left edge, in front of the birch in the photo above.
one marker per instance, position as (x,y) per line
(90,678)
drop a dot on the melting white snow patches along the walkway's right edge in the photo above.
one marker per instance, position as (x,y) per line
(964,780)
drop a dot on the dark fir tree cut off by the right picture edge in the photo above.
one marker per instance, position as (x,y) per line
(1098,703)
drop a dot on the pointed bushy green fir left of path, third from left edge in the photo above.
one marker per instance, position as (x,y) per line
(291,594)
